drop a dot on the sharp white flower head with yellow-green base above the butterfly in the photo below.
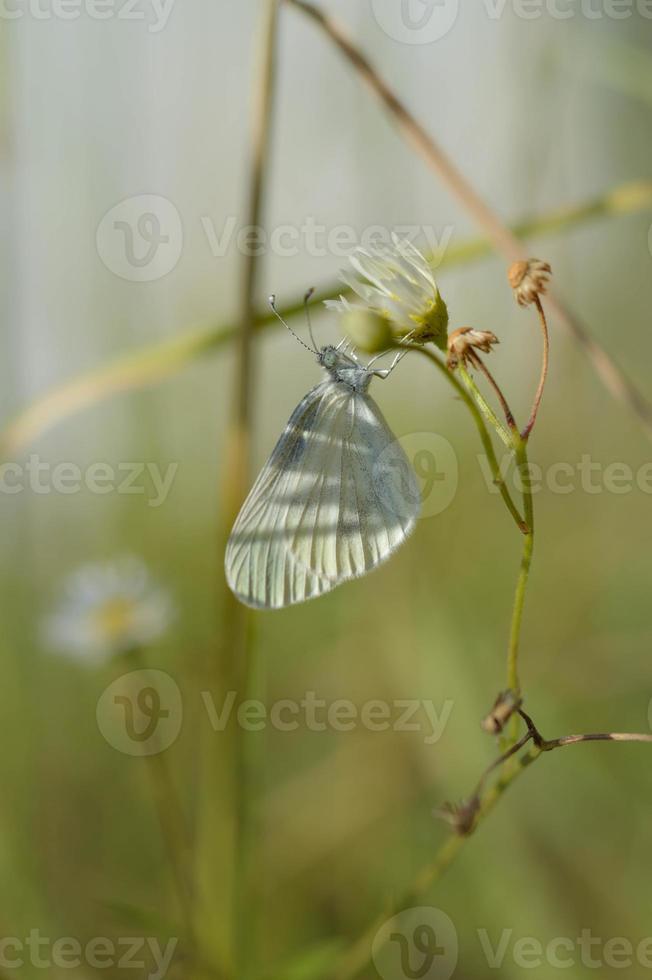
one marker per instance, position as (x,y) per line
(396,282)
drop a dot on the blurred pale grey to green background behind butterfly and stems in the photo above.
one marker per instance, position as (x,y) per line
(539,114)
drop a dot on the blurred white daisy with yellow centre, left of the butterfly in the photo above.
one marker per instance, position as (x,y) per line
(107,609)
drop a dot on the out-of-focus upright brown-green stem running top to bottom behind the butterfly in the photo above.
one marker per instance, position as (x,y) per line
(229,768)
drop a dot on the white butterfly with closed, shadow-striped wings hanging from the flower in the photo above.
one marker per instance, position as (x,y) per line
(336,497)
